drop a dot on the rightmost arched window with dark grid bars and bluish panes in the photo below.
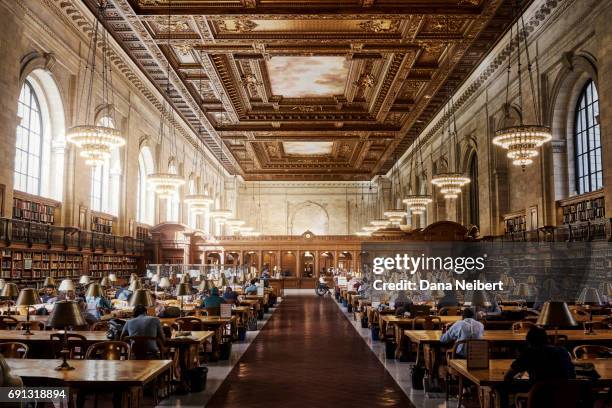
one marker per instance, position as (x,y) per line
(587,139)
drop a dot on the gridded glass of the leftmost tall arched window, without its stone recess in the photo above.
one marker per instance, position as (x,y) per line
(28,156)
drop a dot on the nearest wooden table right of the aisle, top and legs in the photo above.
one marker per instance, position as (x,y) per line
(489,381)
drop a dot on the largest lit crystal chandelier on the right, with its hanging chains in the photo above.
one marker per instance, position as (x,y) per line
(522,141)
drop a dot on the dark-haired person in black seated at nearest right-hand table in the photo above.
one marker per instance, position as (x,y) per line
(543,362)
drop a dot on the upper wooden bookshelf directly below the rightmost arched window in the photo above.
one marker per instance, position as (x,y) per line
(582,208)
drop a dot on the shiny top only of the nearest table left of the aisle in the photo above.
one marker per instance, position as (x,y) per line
(91,372)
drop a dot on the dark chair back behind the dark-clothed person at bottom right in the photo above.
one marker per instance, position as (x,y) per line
(550,394)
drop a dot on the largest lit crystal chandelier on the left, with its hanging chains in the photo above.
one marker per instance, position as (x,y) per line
(96,142)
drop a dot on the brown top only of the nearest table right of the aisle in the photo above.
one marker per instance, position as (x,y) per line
(497,369)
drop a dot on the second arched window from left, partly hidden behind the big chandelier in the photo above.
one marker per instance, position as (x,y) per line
(106,179)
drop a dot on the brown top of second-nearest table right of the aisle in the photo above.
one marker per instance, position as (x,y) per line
(433,336)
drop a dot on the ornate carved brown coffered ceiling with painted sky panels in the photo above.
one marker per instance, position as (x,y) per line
(309,90)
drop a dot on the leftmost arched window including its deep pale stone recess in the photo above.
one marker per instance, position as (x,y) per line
(39,142)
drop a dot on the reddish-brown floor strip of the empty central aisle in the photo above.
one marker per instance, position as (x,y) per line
(308,355)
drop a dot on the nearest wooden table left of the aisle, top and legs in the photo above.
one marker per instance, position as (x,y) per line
(128,377)
